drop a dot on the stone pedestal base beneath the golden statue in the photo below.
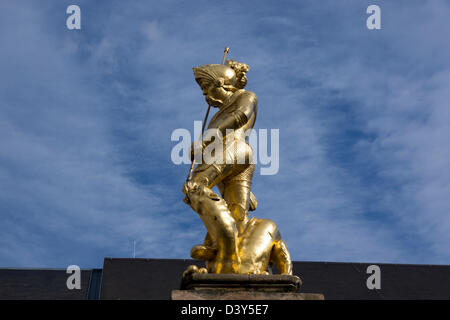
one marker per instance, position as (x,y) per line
(198,286)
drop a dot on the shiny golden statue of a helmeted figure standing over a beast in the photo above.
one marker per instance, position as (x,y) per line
(234,243)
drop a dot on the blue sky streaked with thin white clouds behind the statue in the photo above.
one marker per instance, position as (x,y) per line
(86,118)
